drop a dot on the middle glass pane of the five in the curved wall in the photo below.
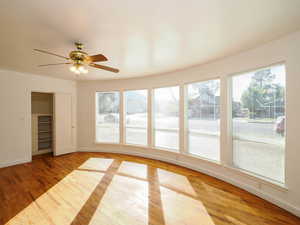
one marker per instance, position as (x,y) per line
(166,118)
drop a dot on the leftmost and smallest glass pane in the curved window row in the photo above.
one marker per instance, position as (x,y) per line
(107,117)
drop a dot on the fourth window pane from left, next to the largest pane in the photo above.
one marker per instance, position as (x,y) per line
(204,119)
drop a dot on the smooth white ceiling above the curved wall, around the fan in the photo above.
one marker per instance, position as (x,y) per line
(140,37)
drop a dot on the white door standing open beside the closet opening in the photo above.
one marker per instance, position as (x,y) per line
(63,124)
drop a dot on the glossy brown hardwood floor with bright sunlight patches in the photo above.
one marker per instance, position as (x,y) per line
(113,189)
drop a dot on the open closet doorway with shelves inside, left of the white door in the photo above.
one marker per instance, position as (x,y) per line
(42,123)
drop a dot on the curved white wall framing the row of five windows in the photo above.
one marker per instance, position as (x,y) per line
(285,50)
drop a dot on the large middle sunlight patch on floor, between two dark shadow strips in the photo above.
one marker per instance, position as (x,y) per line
(125,202)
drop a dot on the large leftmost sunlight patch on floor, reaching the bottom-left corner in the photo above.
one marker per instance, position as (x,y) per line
(61,203)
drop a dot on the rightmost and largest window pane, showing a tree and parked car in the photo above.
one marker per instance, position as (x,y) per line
(258,112)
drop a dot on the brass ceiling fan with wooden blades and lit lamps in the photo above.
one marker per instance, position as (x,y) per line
(80,60)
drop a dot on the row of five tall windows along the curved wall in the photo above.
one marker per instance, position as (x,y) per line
(258,120)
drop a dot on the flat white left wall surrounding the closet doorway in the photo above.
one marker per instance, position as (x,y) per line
(15,111)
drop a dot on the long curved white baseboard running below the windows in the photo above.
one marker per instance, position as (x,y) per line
(276,201)
